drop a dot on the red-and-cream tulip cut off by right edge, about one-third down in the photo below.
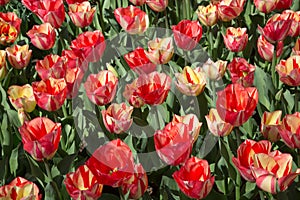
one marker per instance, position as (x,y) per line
(289,71)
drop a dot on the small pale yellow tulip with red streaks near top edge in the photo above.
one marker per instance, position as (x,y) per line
(208,15)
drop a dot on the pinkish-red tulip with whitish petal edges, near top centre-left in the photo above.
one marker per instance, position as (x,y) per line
(132,19)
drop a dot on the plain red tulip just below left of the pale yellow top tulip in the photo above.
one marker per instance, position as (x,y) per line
(187,34)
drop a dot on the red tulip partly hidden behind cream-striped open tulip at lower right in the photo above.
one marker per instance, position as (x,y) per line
(245,156)
